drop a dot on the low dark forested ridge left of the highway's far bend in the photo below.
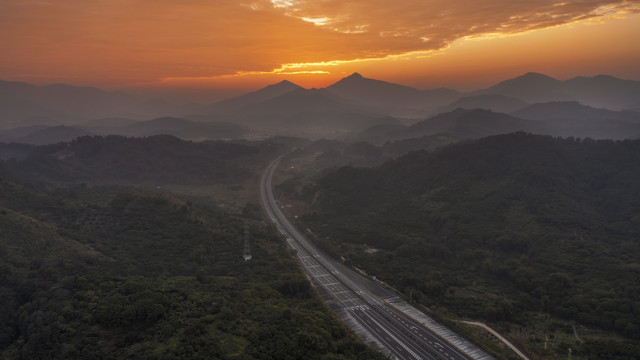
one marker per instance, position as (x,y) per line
(160,159)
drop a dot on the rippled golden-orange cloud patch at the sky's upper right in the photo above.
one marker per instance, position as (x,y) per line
(425,25)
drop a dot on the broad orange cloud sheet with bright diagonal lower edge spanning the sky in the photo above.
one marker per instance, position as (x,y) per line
(142,40)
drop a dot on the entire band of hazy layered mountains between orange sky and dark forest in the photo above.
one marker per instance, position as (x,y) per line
(600,107)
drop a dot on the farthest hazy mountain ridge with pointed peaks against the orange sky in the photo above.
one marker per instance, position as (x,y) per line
(23,104)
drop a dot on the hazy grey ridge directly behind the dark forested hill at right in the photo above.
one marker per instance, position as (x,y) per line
(564,119)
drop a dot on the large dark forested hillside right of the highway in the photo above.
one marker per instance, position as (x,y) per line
(505,229)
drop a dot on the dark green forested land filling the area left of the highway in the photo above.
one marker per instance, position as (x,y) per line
(93,270)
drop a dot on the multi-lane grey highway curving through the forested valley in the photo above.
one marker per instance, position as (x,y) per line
(369,309)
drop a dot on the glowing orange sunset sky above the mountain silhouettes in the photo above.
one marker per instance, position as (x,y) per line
(240,45)
